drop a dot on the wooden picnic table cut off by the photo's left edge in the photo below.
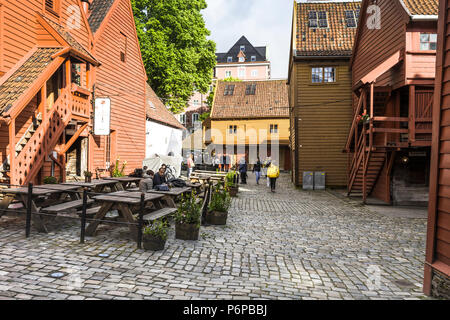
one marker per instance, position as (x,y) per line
(21,195)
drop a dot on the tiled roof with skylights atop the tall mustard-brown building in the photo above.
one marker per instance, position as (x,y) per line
(336,40)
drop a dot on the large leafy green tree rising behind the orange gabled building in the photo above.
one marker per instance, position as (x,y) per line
(177,55)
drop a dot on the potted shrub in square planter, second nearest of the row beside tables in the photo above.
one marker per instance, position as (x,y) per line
(187,218)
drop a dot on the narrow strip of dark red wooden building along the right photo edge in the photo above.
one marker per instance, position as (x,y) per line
(437,264)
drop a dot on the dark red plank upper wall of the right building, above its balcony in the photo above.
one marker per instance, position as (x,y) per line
(375,46)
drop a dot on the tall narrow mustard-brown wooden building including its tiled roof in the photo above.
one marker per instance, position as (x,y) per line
(320,113)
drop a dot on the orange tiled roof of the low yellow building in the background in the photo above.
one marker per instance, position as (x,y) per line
(269,101)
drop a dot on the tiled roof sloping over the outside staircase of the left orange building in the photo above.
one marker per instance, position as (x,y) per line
(24,77)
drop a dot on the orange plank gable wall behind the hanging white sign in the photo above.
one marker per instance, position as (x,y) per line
(124,83)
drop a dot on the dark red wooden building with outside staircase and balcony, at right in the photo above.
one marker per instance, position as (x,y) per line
(393,72)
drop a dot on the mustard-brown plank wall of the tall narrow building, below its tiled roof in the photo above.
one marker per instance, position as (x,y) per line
(324,115)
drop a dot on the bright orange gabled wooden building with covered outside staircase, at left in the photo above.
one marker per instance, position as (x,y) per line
(55,55)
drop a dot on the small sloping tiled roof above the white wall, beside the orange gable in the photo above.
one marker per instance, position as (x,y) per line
(158,112)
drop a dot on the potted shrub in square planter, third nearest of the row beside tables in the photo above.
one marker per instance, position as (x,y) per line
(218,207)
